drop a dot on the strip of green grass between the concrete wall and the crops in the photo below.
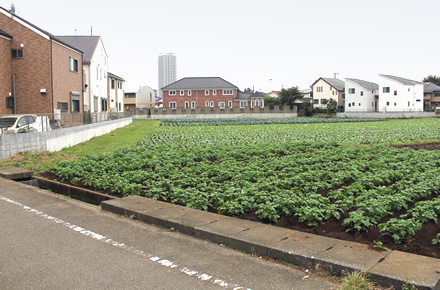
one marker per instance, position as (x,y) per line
(123,137)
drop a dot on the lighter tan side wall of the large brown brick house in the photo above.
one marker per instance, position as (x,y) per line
(65,81)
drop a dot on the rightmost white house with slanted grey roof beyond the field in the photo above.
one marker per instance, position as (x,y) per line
(397,94)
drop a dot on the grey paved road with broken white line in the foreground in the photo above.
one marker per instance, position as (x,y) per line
(48,241)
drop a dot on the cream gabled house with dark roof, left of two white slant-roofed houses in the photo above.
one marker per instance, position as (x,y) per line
(325,89)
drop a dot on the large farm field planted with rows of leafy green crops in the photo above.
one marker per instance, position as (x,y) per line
(335,179)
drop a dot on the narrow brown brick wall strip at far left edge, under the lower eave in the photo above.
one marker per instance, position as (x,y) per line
(5,74)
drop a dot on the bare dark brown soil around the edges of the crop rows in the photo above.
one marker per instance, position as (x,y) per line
(421,244)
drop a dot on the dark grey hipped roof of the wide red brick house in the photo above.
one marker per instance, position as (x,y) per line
(199,84)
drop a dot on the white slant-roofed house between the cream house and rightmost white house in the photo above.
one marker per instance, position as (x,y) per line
(361,96)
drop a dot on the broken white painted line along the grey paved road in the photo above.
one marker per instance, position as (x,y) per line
(160,261)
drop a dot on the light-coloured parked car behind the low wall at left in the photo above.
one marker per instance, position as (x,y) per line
(25,123)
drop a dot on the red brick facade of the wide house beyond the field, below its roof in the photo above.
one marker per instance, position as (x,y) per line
(199,97)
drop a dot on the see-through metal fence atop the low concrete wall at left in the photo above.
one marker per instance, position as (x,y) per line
(24,123)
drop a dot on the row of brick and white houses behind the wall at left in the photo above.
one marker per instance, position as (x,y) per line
(43,73)
